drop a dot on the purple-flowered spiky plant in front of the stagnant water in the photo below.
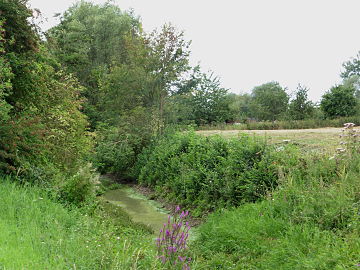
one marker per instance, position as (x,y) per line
(172,241)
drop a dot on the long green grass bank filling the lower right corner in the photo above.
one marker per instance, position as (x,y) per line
(310,222)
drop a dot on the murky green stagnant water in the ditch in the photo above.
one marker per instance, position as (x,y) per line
(138,207)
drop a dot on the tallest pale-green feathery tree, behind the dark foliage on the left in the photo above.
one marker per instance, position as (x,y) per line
(88,42)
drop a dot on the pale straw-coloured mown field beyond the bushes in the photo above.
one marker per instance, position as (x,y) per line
(321,139)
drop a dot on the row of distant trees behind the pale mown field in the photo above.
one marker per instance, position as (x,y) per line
(268,102)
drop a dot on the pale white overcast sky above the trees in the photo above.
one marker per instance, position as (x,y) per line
(251,42)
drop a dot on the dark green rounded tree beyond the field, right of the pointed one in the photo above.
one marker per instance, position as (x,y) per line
(339,101)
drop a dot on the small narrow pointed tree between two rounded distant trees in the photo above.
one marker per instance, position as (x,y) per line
(300,107)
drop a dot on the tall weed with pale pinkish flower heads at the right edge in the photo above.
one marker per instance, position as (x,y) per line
(350,139)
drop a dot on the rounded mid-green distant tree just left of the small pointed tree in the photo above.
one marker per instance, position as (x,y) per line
(269,101)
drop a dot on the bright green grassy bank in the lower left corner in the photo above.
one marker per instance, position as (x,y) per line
(38,233)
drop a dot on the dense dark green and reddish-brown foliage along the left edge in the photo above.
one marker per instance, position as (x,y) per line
(42,132)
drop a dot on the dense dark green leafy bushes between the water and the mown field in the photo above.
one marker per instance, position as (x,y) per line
(210,172)
